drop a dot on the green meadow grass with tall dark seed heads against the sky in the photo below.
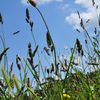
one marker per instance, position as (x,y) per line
(63,80)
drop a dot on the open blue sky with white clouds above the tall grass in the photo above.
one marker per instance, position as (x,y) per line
(61,18)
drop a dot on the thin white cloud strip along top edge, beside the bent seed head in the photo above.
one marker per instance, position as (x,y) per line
(40,2)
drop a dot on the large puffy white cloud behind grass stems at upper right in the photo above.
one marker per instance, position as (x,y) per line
(90,13)
